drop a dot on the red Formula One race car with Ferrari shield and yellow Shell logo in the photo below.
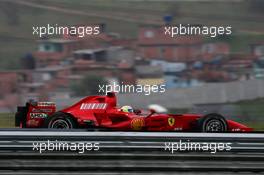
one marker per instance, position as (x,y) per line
(102,112)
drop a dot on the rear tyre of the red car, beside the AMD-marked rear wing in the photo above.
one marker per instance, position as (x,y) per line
(60,120)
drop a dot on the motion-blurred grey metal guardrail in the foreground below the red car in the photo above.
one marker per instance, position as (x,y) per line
(129,153)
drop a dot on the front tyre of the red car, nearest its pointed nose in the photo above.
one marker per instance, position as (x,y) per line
(212,123)
